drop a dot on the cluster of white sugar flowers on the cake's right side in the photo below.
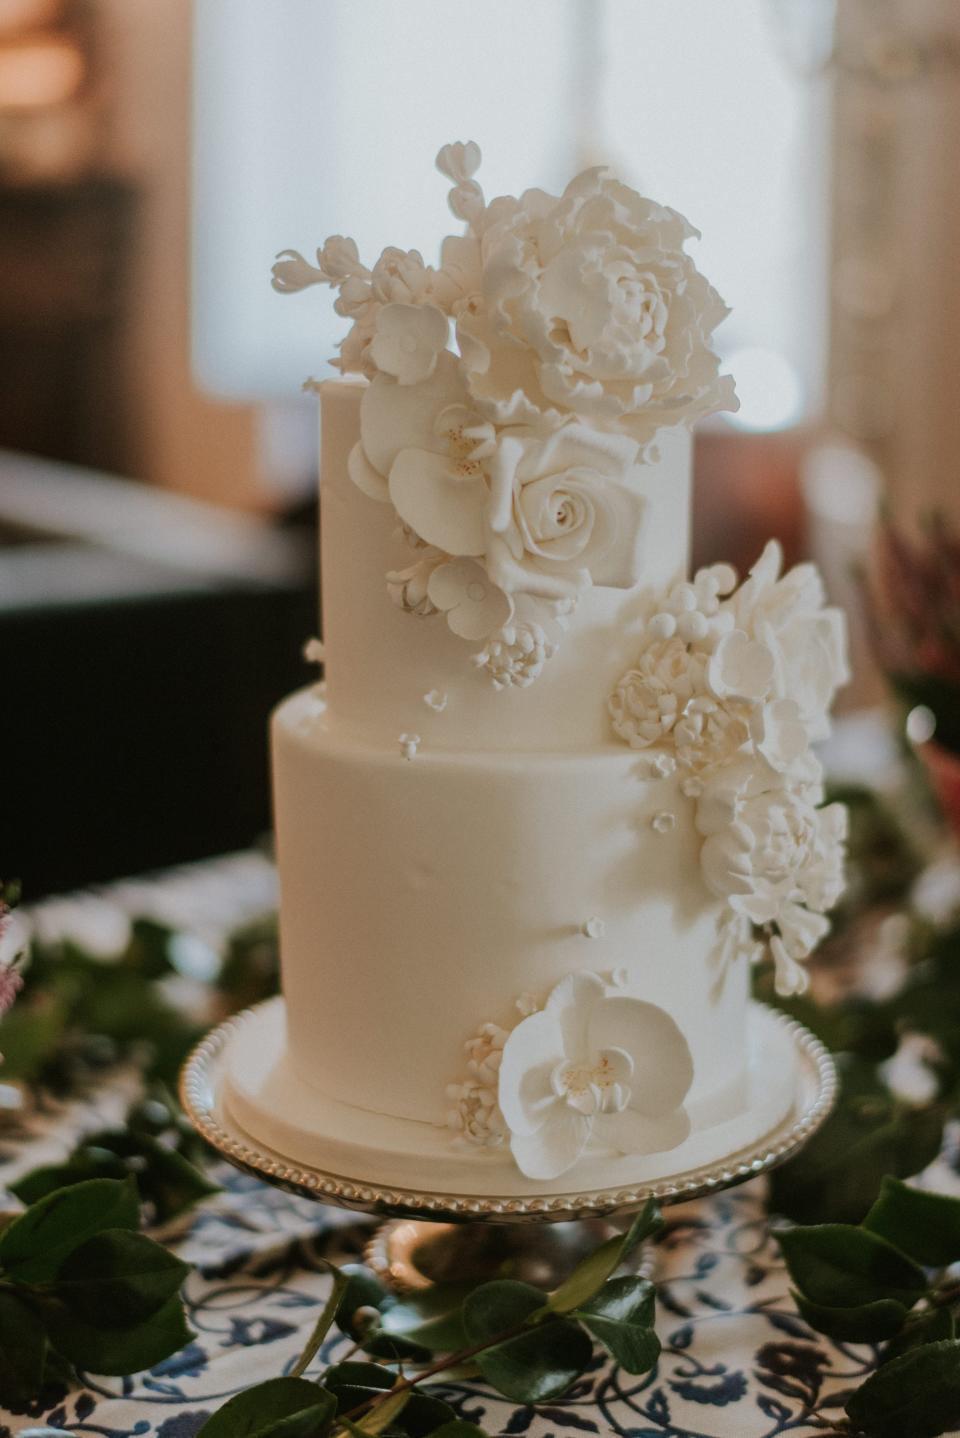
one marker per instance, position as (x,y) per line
(732,687)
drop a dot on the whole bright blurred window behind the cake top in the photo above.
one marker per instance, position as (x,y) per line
(318,119)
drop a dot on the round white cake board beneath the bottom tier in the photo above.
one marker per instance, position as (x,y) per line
(265,1099)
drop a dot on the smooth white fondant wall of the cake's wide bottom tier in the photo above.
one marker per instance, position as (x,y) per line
(426,897)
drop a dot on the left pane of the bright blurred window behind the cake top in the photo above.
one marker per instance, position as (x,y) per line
(318,117)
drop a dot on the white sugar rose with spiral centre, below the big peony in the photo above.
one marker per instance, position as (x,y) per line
(566,513)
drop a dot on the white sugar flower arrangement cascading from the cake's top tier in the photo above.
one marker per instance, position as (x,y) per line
(517,393)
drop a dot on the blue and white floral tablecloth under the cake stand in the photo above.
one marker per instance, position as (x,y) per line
(738,1363)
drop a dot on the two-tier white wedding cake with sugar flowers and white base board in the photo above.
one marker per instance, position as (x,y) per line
(554,797)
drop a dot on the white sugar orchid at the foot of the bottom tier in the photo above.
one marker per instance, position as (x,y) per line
(593,1066)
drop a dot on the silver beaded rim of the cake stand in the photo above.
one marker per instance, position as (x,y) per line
(199,1094)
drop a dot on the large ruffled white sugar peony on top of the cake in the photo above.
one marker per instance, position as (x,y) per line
(591,306)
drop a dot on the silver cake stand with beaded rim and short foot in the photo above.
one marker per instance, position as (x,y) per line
(436,1237)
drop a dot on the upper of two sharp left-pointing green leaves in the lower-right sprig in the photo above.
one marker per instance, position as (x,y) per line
(844,1268)
